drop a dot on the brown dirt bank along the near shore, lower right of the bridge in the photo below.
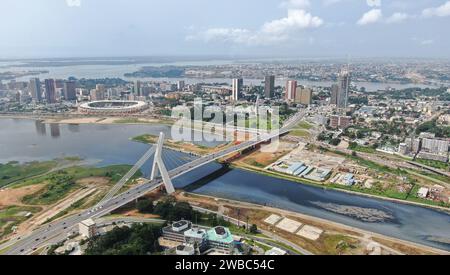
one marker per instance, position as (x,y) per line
(353,240)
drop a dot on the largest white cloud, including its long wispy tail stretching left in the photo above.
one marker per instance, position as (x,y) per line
(271,32)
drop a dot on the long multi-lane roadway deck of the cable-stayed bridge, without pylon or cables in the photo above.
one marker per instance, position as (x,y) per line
(59,230)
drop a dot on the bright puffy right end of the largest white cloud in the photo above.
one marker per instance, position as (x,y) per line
(296,19)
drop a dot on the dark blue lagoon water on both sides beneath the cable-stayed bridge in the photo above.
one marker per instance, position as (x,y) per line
(28,140)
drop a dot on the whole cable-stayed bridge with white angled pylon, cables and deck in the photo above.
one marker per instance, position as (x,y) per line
(57,231)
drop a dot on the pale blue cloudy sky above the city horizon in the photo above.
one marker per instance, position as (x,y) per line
(297,28)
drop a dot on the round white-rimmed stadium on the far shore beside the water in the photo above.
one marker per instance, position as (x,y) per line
(113,107)
